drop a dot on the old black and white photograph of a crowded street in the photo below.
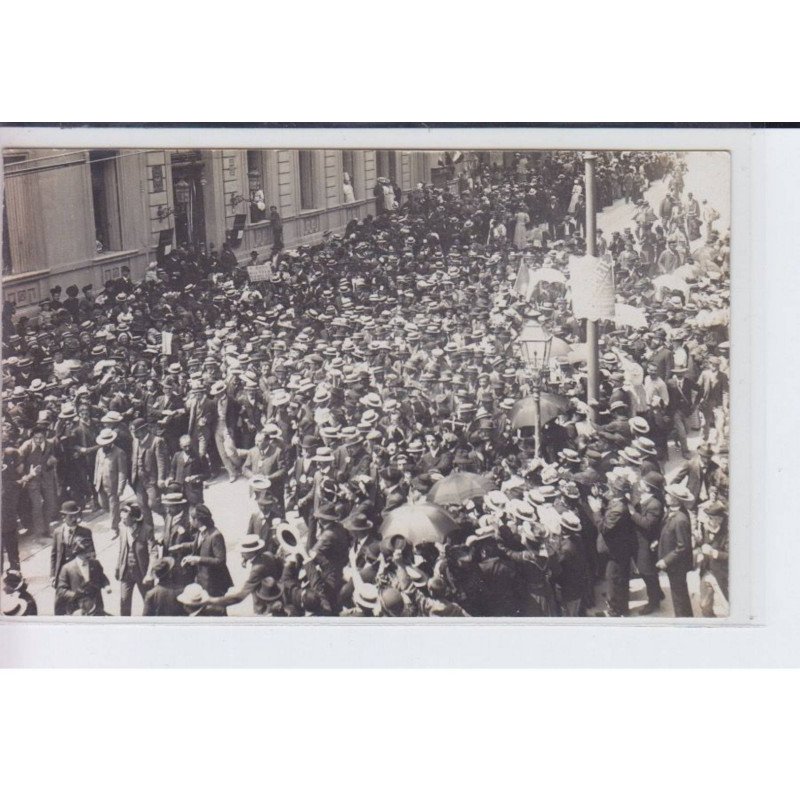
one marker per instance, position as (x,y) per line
(366,383)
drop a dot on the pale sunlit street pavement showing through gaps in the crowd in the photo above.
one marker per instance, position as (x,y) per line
(230,502)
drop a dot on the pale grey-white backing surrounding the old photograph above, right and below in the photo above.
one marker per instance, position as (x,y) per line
(764,387)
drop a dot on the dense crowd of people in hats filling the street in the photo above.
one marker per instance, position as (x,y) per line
(369,392)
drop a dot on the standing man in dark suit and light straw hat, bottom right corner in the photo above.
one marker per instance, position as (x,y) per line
(675,547)
